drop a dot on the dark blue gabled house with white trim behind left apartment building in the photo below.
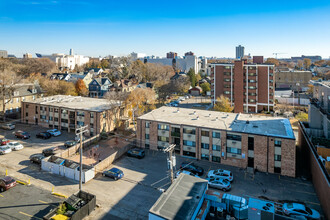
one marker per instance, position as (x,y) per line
(99,87)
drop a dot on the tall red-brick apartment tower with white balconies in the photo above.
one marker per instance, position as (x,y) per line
(249,87)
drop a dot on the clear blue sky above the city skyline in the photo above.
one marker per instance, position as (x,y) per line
(208,28)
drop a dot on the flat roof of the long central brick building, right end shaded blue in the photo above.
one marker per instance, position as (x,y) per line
(235,122)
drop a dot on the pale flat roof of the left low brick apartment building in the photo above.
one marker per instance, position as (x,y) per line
(76,102)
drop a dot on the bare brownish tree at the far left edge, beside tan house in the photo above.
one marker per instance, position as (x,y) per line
(8,80)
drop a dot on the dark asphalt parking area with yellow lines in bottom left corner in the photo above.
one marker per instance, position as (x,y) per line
(26,202)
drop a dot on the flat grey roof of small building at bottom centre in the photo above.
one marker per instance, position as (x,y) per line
(181,200)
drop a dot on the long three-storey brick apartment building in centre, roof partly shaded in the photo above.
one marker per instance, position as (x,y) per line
(263,143)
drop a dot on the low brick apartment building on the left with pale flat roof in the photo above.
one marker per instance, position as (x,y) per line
(70,112)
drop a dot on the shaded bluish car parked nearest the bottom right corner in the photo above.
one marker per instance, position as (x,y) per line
(300,210)
